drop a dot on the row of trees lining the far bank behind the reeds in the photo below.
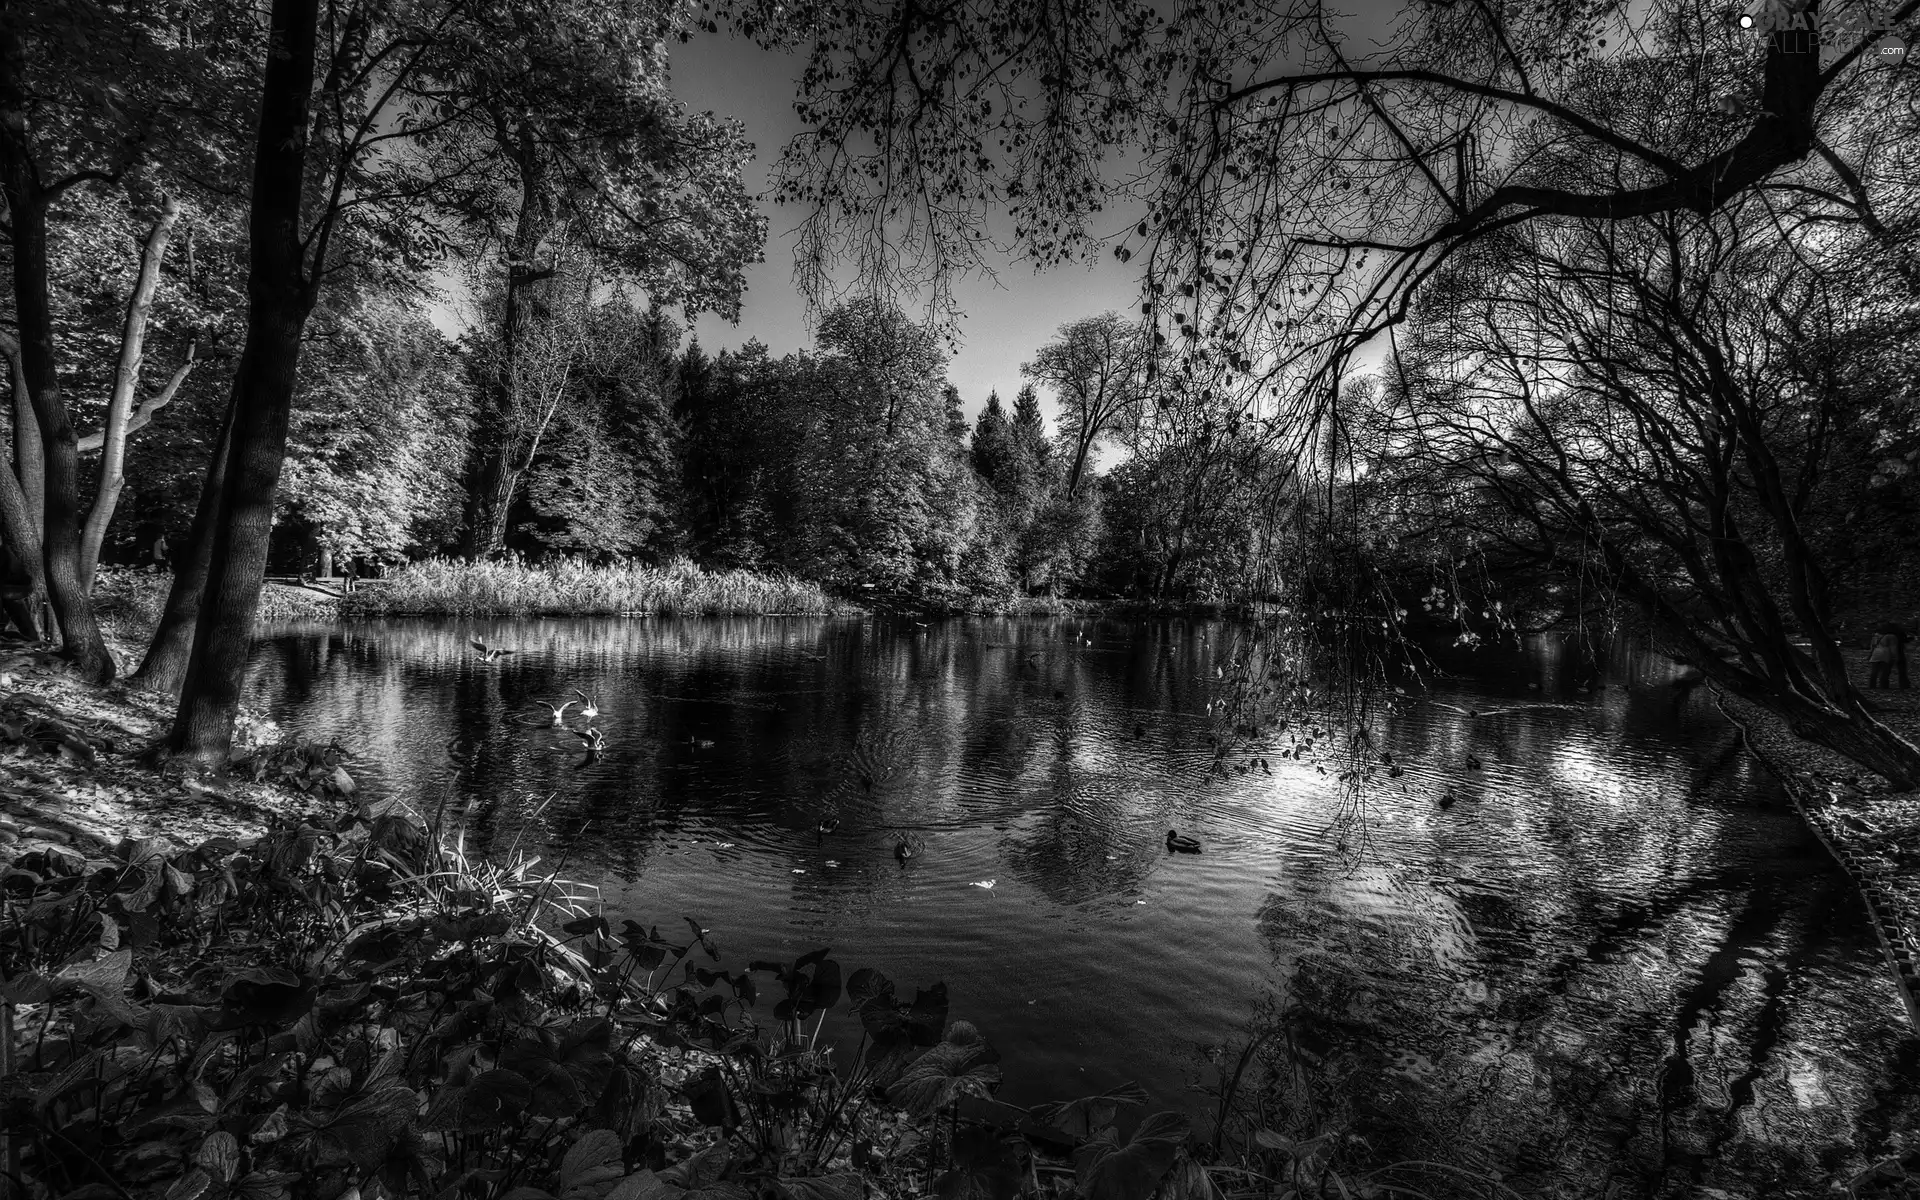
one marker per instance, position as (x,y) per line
(850,464)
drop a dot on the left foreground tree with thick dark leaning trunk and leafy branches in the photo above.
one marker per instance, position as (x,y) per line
(364,183)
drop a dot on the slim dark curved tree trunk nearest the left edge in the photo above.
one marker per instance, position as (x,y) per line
(60,540)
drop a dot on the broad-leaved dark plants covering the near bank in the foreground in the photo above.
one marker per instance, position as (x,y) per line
(350,1005)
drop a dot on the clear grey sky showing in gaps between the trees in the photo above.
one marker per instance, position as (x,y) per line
(1005,322)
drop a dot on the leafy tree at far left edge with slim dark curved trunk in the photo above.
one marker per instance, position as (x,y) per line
(89,95)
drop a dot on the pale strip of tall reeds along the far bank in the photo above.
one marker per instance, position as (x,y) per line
(579,588)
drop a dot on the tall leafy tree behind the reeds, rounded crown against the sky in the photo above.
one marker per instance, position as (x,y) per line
(588,156)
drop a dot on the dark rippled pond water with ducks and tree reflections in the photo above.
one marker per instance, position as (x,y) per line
(1614,967)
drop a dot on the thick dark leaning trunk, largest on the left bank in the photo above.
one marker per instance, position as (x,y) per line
(279,300)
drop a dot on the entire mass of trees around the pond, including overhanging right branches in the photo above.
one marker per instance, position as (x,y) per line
(1631,362)
